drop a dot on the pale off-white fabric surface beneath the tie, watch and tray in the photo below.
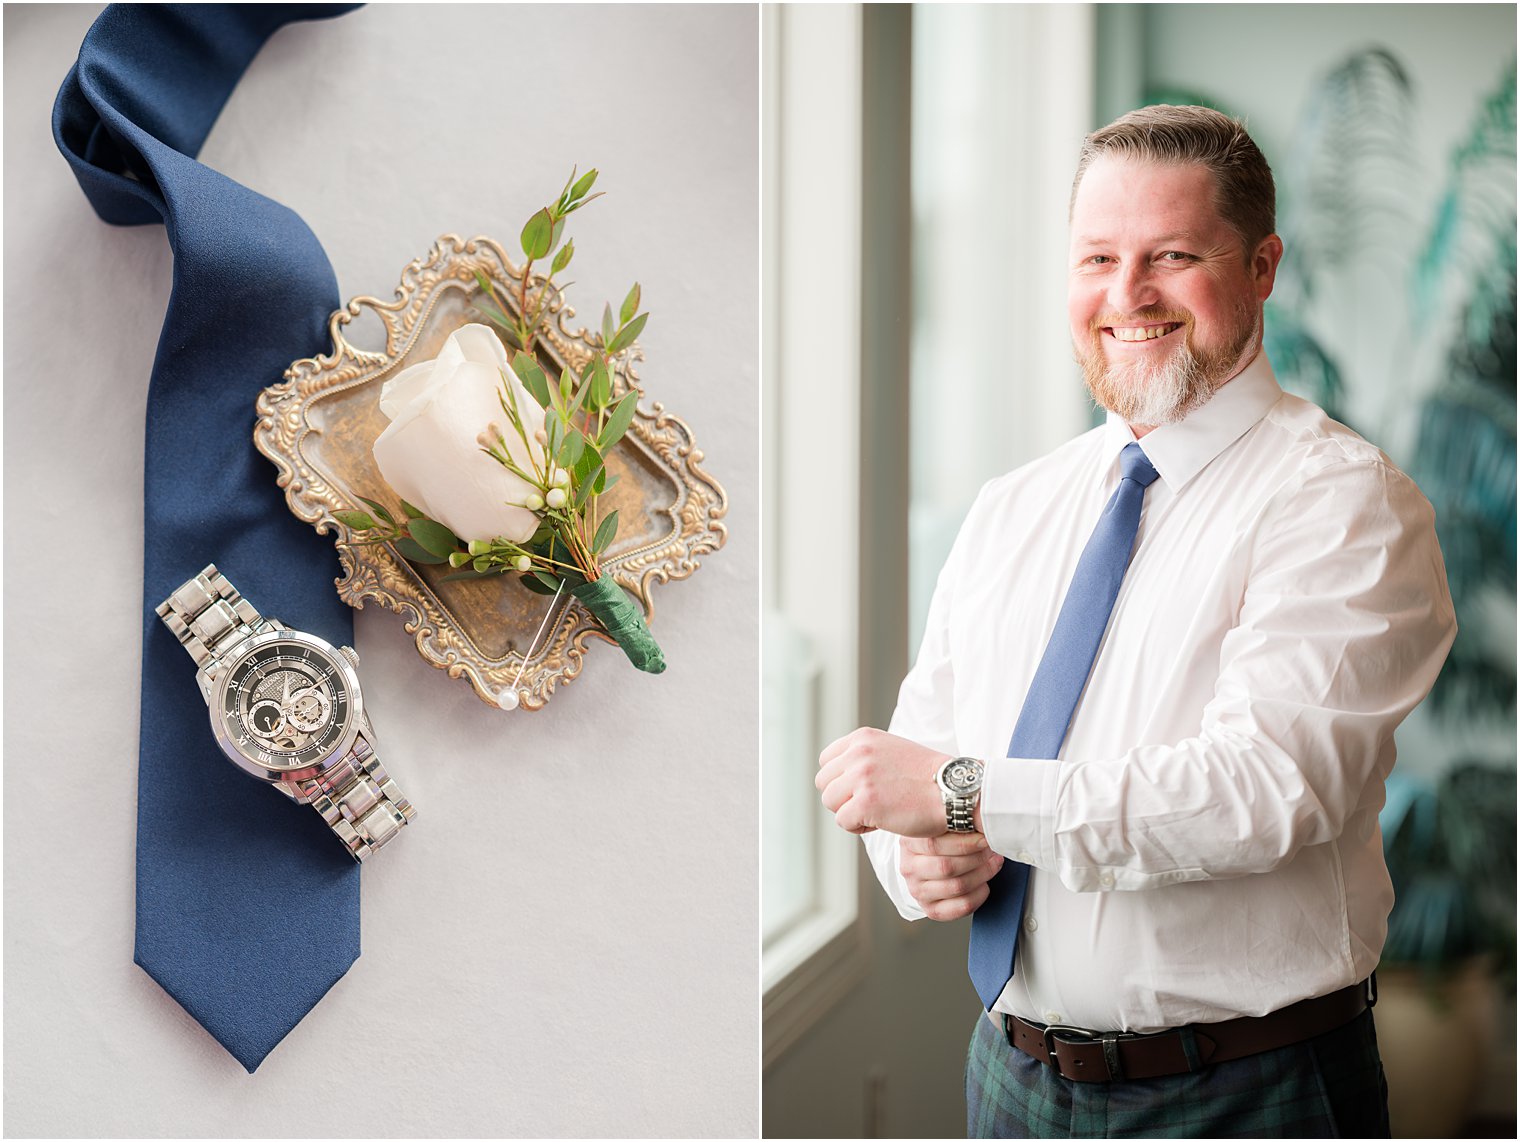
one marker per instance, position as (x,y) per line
(566,944)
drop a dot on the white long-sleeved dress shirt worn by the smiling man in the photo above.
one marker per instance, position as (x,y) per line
(1208,845)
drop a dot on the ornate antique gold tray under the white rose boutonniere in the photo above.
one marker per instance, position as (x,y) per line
(318,428)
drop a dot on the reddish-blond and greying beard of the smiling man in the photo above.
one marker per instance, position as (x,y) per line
(1165,392)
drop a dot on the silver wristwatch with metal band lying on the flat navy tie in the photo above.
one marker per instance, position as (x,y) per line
(287,708)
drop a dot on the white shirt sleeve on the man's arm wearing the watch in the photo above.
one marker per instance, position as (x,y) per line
(1343,626)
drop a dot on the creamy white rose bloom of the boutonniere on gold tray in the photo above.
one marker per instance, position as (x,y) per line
(431,451)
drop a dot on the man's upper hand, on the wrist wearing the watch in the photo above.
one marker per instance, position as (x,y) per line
(875,781)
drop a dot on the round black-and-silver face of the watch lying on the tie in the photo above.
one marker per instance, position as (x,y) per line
(288,703)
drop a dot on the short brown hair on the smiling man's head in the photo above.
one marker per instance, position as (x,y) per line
(1246,194)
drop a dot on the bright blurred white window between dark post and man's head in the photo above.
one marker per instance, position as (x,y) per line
(1002,101)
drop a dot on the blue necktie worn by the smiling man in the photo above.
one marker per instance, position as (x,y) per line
(1053,700)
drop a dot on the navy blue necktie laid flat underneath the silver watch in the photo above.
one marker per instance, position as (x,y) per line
(247,909)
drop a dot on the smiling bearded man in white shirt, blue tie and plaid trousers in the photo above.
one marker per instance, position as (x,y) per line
(1145,740)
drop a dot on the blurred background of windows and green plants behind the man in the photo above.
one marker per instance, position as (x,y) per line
(917,168)
